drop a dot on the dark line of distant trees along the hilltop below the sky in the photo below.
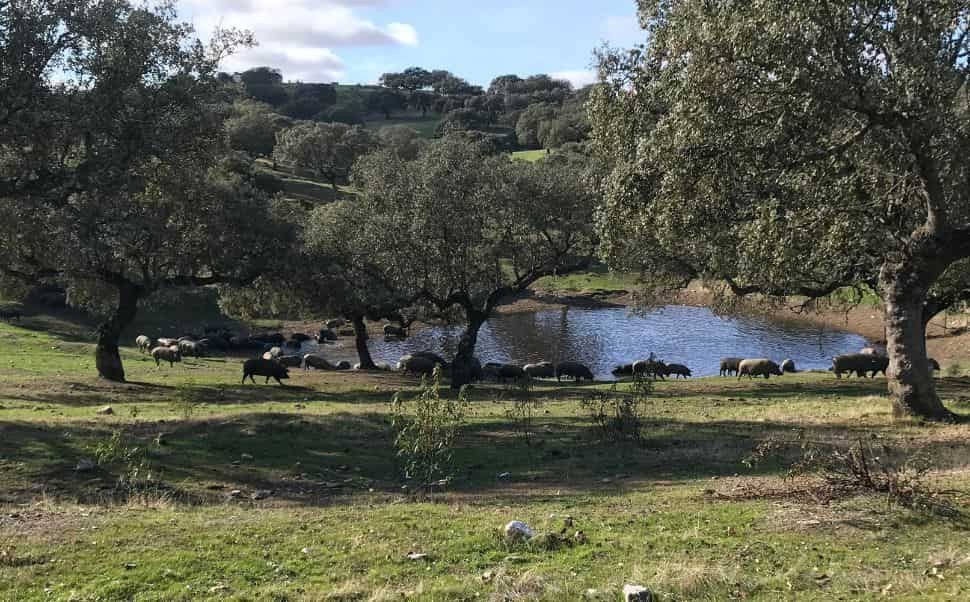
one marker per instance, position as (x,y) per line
(513,113)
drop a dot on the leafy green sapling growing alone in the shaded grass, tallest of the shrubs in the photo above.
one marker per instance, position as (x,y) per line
(426,430)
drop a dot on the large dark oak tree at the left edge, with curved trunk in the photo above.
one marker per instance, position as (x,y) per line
(111,130)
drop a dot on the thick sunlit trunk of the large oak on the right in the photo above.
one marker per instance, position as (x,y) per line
(911,384)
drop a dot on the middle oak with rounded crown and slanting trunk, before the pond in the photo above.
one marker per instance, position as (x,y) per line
(470,230)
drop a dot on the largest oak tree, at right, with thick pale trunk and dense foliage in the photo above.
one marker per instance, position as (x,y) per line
(794,147)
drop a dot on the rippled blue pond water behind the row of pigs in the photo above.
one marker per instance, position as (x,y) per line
(601,338)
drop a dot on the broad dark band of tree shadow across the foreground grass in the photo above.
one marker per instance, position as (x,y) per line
(320,460)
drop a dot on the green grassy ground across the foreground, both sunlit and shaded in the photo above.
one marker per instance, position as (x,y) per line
(673,514)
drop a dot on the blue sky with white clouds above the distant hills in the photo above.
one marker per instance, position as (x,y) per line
(355,41)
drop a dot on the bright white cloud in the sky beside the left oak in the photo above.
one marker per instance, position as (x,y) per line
(297,36)
